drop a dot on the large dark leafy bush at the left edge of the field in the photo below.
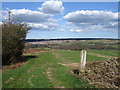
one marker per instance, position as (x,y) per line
(13,36)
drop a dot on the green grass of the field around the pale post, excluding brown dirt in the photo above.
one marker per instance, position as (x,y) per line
(46,72)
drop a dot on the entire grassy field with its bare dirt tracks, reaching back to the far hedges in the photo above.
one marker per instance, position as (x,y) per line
(49,67)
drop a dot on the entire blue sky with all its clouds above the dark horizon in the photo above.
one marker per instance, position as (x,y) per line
(56,19)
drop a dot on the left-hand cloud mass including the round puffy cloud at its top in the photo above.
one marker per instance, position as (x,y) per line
(39,20)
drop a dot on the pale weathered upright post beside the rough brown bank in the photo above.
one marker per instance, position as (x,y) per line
(83,60)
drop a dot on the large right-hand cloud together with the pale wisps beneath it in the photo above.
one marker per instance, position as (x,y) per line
(93,20)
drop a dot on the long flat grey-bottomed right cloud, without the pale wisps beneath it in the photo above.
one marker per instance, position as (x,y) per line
(90,16)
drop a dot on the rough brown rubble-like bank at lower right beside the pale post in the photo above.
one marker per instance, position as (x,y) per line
(103,74)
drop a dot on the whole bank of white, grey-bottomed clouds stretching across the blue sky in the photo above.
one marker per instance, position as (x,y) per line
(78,21)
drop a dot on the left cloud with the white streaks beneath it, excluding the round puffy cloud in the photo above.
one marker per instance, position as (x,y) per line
(35,19)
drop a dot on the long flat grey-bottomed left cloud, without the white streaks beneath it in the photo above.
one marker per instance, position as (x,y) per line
(26,15)
